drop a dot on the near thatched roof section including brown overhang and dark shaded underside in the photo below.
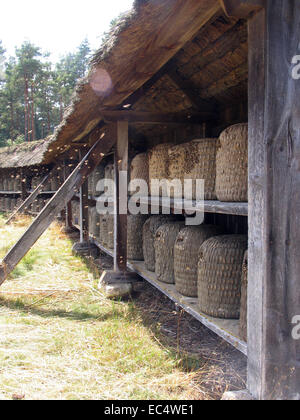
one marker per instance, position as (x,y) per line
(207,50)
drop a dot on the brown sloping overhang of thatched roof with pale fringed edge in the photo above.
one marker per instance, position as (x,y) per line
(139,44)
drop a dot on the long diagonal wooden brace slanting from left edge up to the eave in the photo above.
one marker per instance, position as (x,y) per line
(57,203)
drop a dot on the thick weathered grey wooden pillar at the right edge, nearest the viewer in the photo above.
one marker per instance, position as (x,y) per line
(274,202)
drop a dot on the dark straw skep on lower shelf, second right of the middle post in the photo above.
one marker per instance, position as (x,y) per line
(149,230)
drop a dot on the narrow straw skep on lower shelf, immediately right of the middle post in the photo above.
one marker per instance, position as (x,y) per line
(135,236)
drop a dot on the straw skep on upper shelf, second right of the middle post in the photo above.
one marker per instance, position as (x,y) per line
(159,164)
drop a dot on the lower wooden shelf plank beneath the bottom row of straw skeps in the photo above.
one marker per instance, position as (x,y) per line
(227,329)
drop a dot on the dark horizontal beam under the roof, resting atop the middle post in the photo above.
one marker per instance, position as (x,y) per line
(138,117)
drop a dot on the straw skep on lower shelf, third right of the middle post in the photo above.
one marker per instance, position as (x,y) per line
(165,239)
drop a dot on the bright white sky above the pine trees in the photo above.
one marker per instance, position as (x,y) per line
(57,26)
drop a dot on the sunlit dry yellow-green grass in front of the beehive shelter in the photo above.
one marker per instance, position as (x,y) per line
(61,339)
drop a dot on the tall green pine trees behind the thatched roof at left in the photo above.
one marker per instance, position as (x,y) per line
(34,92)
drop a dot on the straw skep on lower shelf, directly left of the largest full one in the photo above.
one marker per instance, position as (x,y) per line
(186,255)
